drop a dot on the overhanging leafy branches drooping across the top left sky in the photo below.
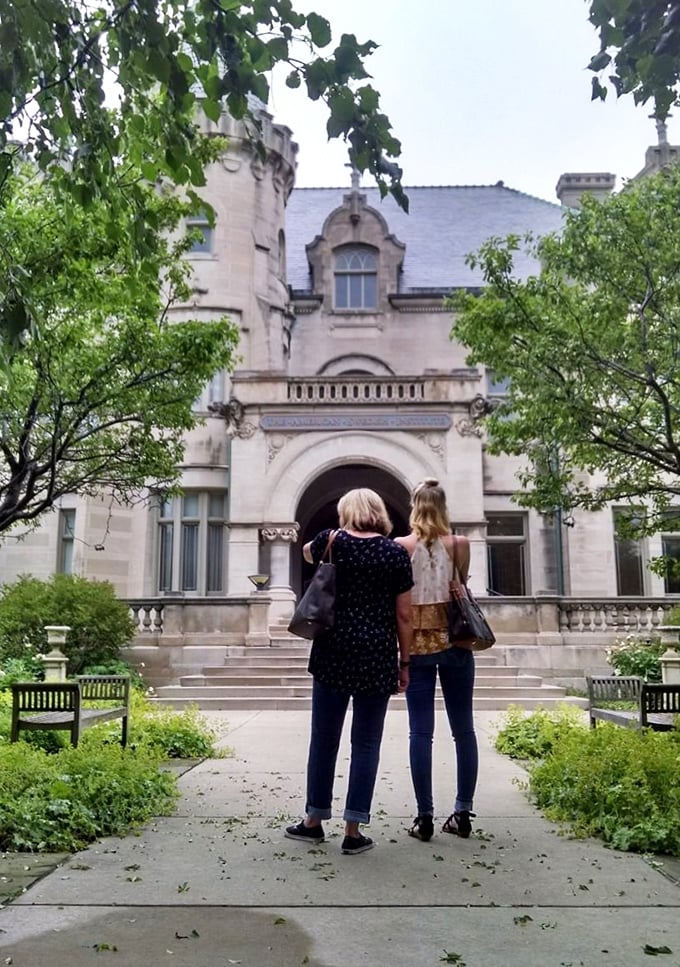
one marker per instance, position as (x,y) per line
(85,83)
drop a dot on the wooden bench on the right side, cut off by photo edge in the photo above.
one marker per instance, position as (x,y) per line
(656,705)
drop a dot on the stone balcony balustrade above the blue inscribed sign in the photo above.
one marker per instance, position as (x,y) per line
(365,389)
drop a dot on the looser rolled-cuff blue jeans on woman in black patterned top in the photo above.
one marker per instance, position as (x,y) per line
(329,708)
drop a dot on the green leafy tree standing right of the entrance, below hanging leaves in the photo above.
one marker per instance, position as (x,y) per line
(591,348)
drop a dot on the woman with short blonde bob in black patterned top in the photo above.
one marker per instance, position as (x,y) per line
(364,657)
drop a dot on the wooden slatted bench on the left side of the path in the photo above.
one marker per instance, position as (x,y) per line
(59,705)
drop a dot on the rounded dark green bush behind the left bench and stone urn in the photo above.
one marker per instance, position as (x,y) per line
(100,624)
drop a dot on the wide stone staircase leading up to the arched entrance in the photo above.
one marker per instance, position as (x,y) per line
(275,677)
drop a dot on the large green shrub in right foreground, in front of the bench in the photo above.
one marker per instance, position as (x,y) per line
(622,785)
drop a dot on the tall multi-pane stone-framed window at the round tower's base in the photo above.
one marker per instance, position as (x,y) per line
(191,543)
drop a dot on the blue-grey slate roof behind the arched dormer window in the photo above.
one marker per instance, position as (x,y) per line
(444,225)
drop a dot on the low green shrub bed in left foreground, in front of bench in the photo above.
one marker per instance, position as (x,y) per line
(63,801)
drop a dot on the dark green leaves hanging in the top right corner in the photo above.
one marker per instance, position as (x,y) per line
(640,50)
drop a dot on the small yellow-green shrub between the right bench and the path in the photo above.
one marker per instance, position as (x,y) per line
(534,736)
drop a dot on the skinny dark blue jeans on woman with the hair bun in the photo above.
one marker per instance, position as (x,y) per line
(456,668)
